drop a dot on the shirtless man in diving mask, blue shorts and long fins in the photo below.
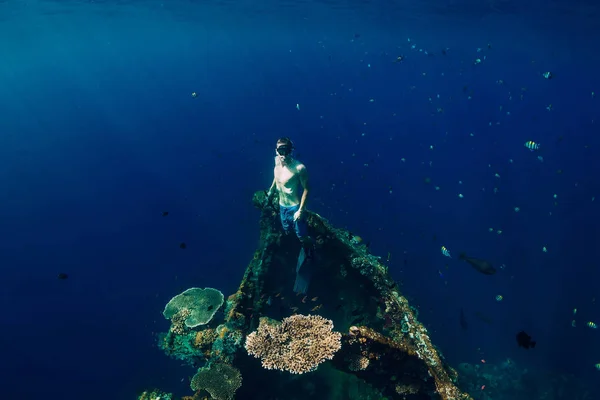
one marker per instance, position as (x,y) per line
(289,177)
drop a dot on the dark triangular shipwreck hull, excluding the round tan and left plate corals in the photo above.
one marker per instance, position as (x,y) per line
(385,352)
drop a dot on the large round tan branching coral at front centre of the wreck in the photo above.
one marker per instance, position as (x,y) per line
(298,344)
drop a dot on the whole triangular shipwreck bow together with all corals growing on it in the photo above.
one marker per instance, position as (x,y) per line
(265,341)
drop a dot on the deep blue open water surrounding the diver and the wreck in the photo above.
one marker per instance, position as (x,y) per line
(411,117)
